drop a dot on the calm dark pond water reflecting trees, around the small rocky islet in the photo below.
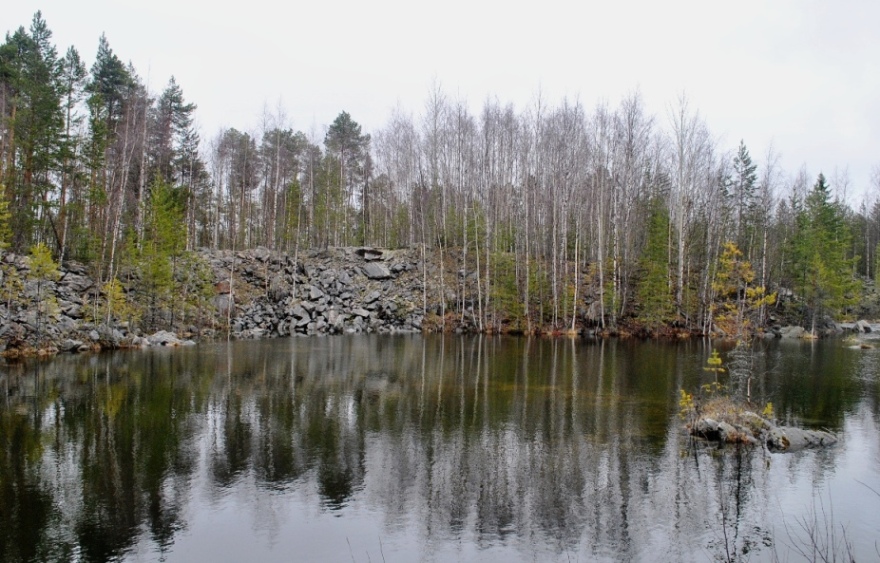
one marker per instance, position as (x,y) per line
(378,448)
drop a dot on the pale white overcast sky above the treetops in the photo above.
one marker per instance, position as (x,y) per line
(802,75)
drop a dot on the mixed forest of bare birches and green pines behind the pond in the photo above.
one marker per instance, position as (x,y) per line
(555,216)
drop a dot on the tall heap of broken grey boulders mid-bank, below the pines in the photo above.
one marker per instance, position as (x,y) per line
(333,291)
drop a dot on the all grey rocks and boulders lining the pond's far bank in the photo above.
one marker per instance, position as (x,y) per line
(260,293)
